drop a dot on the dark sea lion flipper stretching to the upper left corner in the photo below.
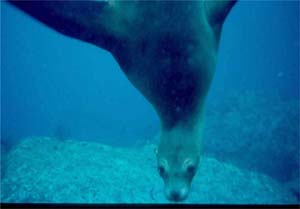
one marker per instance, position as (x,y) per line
(84,20)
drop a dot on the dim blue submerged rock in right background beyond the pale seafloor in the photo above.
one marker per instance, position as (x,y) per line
(255,131)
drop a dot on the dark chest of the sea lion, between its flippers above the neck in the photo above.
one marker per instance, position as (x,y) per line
(170,61)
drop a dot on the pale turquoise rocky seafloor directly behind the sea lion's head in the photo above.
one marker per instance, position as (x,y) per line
(50,170)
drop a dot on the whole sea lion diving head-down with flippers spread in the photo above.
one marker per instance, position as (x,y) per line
(168,51)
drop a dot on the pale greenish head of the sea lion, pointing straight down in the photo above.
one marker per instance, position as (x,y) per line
(177,164)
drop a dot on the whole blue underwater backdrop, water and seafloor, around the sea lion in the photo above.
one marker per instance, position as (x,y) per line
(66,107)
